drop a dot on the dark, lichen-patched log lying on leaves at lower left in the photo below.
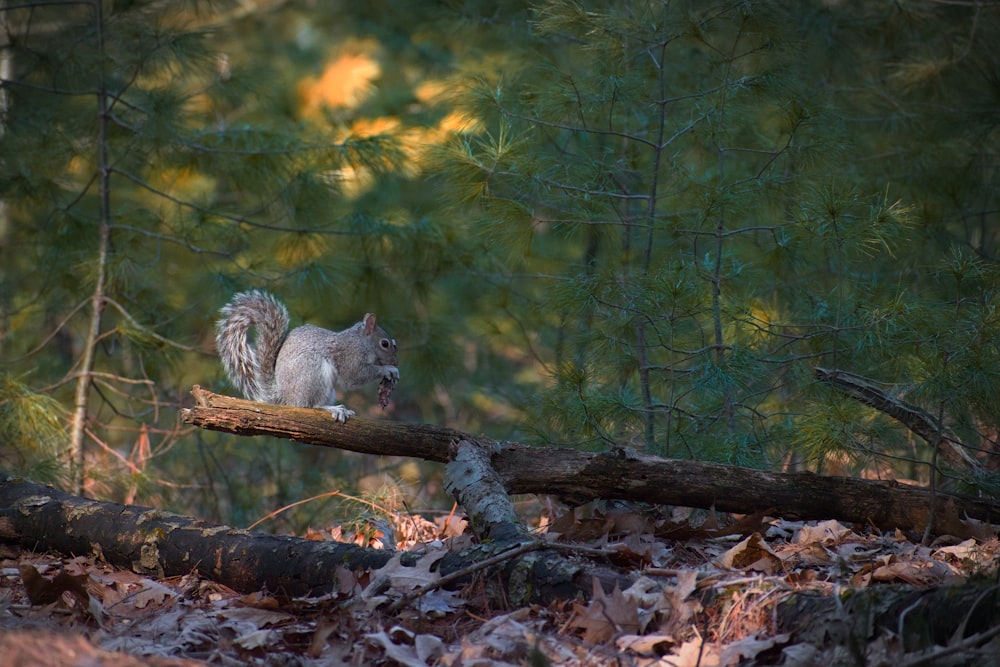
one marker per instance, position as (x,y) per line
(162,544)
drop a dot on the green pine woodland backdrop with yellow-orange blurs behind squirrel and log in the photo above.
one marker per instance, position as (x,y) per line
(590,224)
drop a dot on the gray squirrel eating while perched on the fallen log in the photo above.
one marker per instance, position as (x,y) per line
(305,366)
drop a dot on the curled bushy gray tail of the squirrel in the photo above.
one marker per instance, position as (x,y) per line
(251,366)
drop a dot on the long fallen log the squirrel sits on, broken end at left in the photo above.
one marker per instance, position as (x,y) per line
(577,476)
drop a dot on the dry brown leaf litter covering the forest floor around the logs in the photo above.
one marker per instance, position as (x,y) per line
(704,594)
